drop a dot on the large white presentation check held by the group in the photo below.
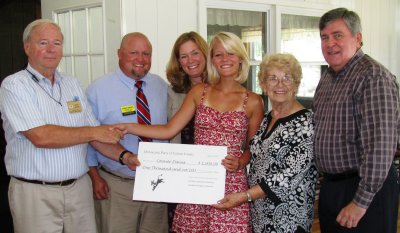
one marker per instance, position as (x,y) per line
(180,173)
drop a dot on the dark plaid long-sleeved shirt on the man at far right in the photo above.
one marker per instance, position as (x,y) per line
(356,114)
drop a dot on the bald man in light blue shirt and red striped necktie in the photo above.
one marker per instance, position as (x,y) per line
(130,94)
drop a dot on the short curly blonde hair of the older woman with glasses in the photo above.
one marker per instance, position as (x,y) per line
(281,61)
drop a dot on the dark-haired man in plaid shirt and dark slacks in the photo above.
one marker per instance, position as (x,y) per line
(356,115)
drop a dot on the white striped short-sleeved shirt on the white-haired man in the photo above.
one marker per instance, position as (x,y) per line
(27,102)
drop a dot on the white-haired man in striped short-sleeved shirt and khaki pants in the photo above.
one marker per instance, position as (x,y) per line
(48,124)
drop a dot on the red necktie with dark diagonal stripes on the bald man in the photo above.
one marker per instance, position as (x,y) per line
(143,111)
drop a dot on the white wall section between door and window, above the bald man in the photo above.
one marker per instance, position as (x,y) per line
(162,21)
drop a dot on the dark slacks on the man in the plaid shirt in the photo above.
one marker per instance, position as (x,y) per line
(381,216)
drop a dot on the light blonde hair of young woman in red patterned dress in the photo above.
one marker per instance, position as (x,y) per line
(232,44)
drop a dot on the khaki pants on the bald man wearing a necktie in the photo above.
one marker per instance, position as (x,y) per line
(119,214)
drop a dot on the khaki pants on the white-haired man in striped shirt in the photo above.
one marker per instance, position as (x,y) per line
(37,208)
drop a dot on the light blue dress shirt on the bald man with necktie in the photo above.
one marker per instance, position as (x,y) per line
(108,94)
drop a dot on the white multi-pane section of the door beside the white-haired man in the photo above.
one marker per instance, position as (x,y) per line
(84,51)
